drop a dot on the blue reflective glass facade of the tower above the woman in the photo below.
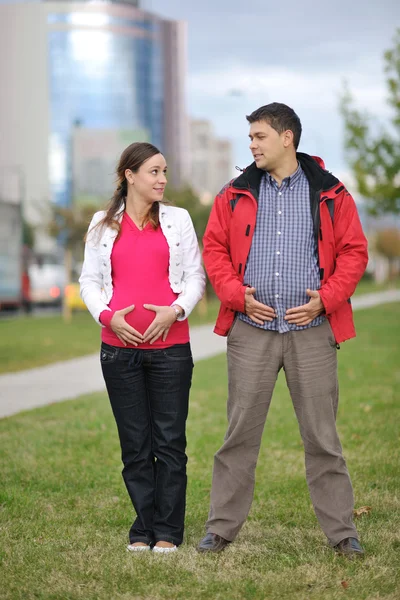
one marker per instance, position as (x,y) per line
(105,72)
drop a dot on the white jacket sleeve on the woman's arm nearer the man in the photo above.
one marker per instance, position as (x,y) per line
(193,273)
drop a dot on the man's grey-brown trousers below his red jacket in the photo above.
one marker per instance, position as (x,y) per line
(308,357)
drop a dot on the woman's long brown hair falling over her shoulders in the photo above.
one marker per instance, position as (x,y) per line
(132,158)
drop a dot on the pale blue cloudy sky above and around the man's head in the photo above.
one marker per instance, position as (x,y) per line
(243,54)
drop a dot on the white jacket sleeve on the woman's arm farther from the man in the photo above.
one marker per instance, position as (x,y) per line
(91,279)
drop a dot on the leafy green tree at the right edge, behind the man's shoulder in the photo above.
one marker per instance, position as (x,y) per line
(373,151)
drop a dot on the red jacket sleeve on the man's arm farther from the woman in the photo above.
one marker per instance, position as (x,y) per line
(351,254)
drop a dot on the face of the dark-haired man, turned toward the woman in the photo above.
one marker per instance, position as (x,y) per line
(267,145)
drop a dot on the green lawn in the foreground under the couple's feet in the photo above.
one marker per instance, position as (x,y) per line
(64,510)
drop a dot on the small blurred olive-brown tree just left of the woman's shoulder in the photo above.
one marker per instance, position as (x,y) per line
(69,226)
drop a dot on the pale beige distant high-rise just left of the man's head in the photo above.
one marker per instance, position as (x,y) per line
(211,160)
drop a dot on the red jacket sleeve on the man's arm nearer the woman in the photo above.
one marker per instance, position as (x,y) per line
(217,259)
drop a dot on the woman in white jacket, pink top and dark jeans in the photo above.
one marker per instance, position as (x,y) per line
(141,278)
